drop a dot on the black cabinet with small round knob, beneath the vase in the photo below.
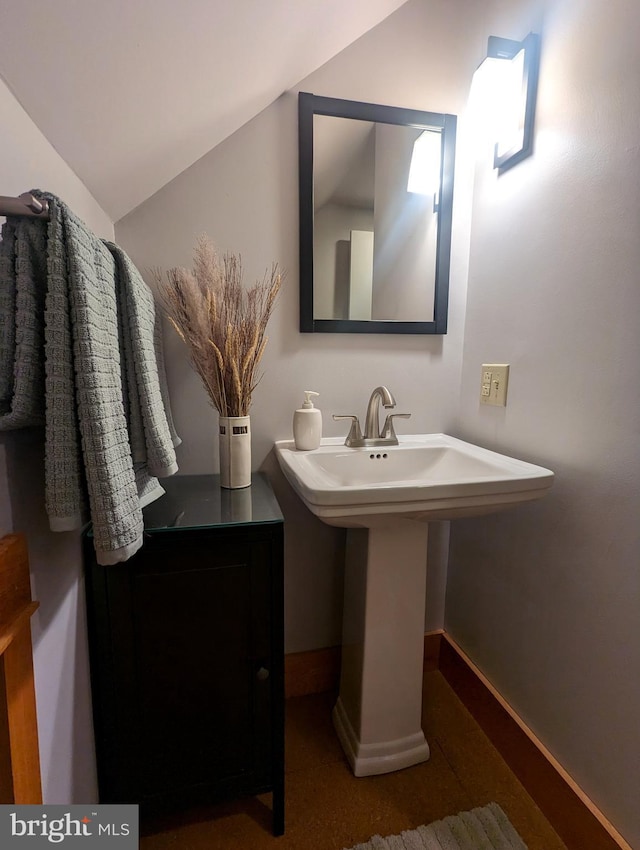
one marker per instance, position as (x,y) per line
(186,648)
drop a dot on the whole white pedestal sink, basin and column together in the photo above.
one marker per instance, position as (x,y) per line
(385,497)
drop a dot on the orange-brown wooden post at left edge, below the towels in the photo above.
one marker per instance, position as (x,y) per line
(16,651)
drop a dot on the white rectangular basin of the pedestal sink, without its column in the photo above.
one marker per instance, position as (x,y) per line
(427,476)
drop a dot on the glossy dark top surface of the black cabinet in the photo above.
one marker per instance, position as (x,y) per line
(198,501)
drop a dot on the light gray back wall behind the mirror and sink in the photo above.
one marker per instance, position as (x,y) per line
(244,193)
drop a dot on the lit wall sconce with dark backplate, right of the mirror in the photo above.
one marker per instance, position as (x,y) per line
(510,81)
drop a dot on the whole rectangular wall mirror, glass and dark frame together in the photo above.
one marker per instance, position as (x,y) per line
(376,193)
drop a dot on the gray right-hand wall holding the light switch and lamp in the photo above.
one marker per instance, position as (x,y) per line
(546,599)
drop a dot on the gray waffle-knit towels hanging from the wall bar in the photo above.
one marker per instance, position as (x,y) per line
(92,367)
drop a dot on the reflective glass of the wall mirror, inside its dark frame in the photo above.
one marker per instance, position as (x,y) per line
(373,226)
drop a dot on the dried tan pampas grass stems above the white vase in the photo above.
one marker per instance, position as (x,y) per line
(222,324)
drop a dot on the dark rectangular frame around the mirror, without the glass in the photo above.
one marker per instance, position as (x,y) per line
(310,105)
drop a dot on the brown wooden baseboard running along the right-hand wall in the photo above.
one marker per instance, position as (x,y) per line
(576,819)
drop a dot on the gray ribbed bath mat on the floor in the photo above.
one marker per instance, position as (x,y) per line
(486,828)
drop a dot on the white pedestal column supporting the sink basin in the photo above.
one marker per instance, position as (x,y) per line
(378,712)
